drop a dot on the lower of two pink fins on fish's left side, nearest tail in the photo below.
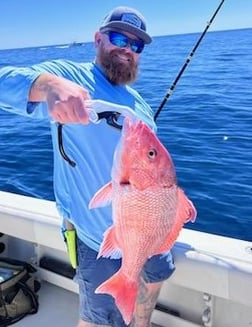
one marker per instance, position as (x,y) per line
(109,247)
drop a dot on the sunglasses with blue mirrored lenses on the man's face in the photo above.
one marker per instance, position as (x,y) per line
(122,41)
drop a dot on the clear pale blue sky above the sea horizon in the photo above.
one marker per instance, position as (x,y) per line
(27,23)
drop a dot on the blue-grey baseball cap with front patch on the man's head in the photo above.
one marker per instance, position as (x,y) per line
(126,19)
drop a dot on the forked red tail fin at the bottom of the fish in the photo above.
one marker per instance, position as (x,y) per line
(123,291)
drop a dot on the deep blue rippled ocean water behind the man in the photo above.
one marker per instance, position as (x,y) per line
(206,124)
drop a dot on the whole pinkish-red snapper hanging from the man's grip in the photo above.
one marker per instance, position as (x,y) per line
(149,210)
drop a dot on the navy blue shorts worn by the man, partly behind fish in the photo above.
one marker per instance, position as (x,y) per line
(91,272)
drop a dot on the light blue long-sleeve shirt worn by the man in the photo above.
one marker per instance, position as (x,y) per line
(90,146)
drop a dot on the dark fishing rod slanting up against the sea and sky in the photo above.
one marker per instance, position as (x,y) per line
(189,58)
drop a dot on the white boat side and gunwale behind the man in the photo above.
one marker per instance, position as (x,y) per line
(210,268)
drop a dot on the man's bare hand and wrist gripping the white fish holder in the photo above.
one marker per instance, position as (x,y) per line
(65,99)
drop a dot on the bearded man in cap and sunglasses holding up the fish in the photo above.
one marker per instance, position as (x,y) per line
(60,89)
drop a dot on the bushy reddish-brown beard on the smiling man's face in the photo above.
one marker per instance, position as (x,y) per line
(119,66)
